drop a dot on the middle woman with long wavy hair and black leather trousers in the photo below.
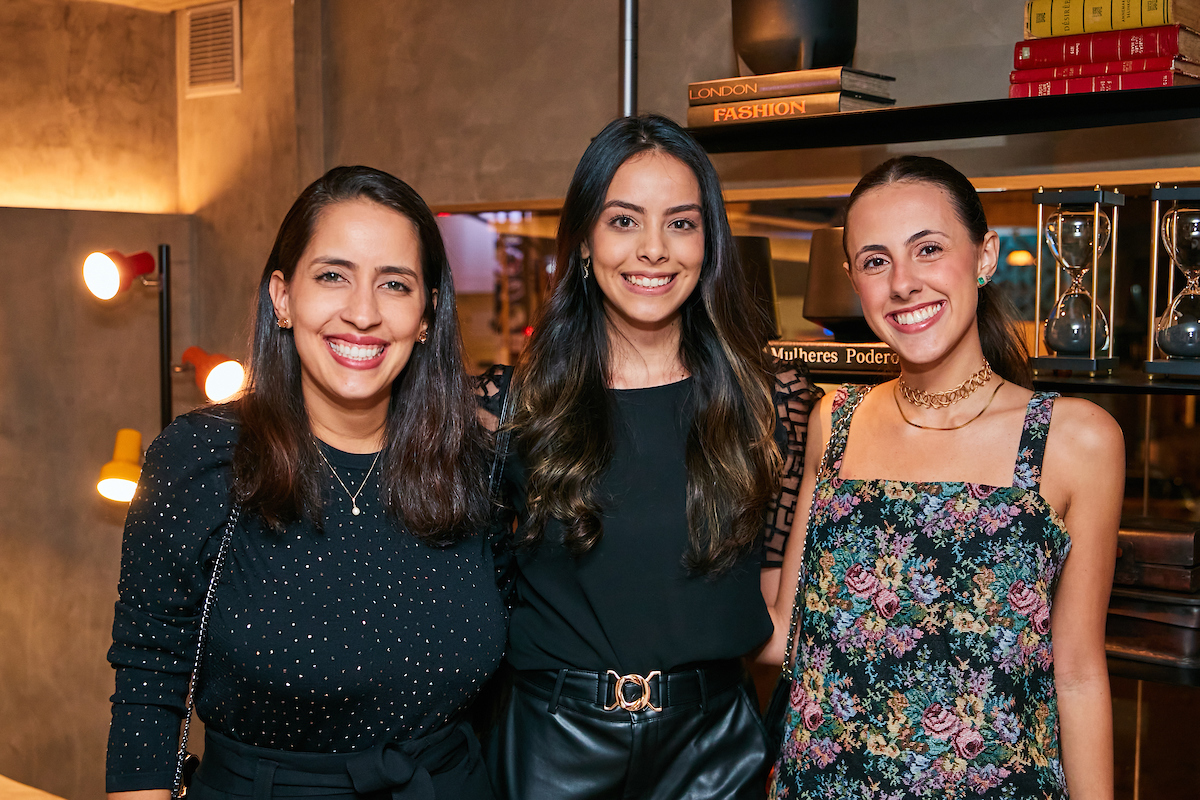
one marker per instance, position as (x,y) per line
(651,437)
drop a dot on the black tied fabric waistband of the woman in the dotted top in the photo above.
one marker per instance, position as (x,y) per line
(401,769)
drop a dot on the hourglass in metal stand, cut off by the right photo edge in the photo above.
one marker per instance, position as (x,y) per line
(1174,341)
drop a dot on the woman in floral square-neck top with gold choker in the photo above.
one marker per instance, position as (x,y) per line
(961,540)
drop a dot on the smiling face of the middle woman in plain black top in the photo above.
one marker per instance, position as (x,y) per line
(647,248)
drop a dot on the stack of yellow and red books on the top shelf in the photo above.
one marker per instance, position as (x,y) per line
(1084,46)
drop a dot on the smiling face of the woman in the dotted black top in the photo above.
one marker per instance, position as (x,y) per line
(357,306)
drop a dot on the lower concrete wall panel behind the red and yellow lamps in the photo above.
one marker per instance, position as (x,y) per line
(75,370)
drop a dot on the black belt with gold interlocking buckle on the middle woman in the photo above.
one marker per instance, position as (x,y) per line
(655,693)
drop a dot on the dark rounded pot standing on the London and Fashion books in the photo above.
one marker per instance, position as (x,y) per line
(783,35)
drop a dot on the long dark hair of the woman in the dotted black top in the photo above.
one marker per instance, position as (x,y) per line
(435,450)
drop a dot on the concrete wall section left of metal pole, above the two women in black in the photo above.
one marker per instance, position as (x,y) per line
(470,101)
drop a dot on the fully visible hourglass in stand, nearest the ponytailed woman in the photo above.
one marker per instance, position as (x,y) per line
(1077,333)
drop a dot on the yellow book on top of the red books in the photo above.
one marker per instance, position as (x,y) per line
(1048,19)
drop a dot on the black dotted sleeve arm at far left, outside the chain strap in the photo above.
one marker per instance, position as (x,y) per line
(183,500)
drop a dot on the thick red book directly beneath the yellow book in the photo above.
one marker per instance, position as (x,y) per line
(1109,46)
